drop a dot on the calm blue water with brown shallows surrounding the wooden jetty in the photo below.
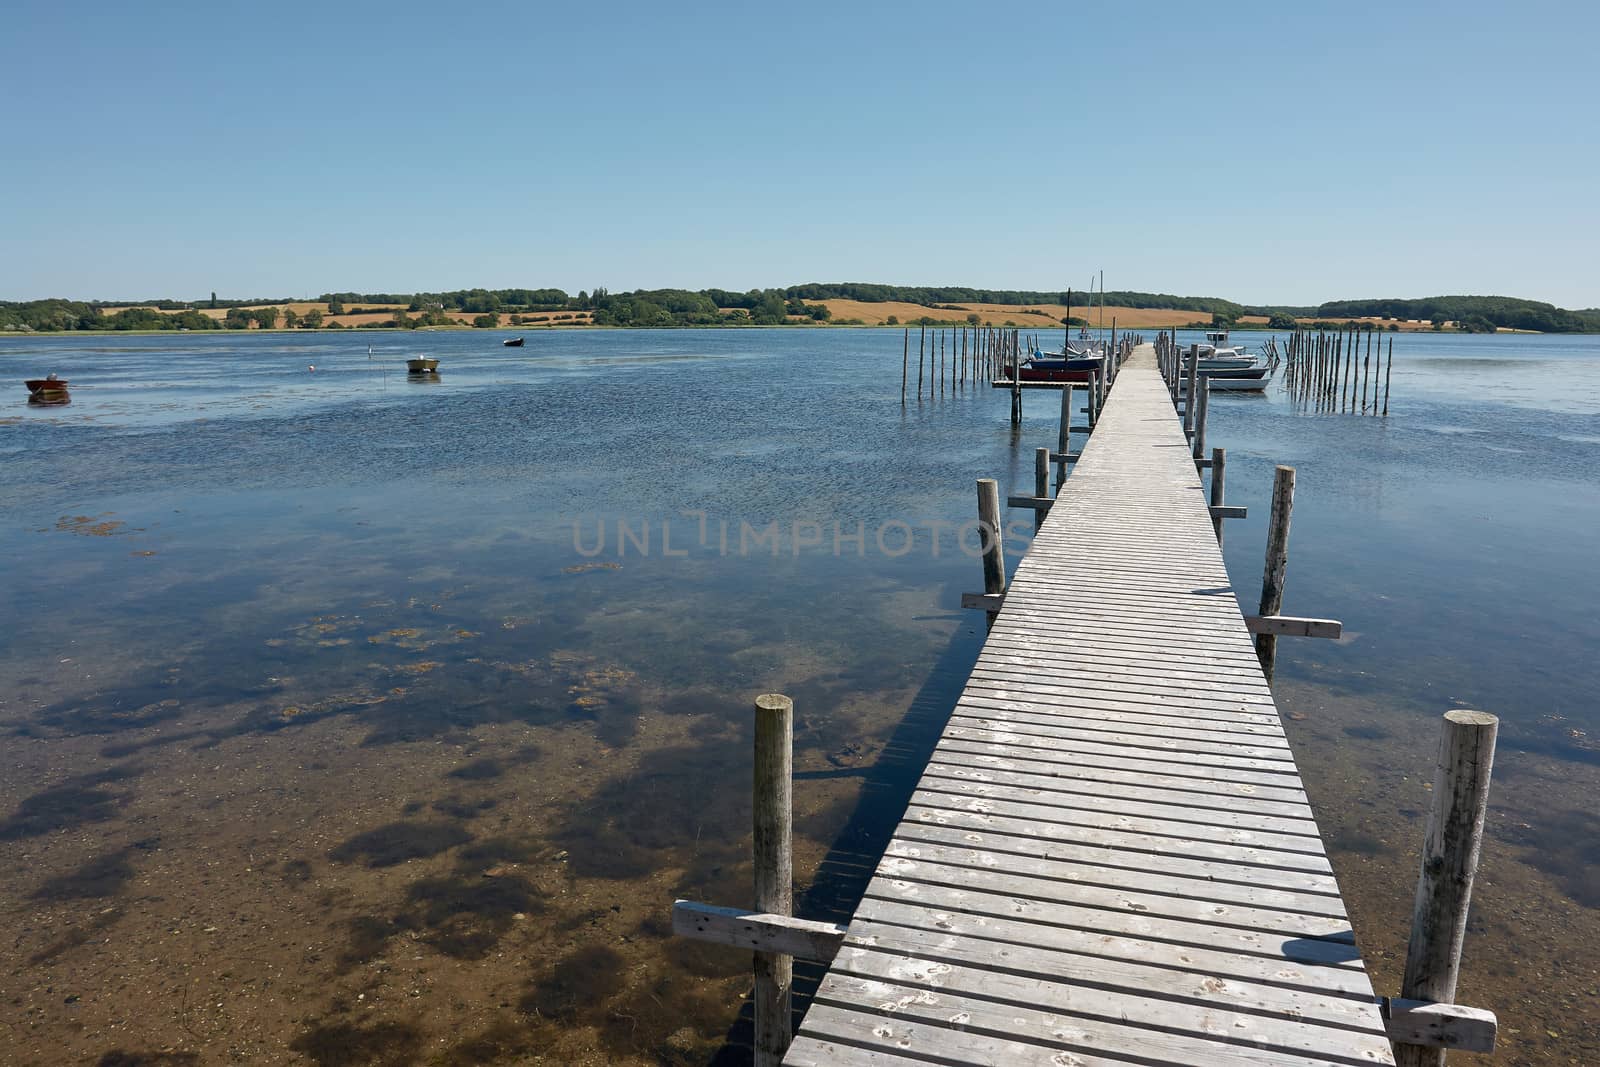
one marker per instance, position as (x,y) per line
(351,719)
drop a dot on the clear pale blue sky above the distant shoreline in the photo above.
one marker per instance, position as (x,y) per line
(1268,153)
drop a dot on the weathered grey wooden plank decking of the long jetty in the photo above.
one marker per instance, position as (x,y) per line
(1110,858)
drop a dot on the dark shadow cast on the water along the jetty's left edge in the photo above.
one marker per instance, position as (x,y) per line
(886,791)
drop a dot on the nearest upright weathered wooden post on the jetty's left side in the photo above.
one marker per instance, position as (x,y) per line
(774,842)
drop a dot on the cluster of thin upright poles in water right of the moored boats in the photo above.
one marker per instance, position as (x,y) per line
(1337,372)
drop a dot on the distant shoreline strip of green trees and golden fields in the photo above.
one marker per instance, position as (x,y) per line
(761,308)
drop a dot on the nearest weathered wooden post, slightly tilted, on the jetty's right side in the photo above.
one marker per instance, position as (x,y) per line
(1450,861)
